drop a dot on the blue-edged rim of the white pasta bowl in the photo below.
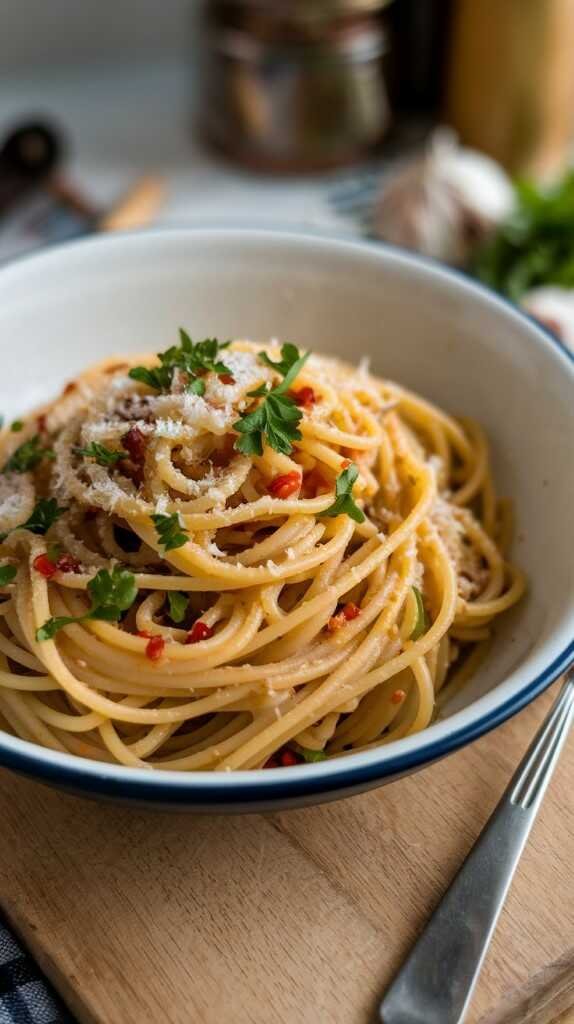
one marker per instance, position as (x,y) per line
(251,789)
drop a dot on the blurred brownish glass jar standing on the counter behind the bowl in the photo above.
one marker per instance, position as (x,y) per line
(295,87)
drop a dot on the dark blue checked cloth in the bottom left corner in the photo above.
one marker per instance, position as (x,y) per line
(26,997)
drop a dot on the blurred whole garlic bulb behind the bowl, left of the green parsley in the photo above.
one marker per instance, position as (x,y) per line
(445,203)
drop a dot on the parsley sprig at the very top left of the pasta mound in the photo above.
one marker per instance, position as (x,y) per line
(193,358)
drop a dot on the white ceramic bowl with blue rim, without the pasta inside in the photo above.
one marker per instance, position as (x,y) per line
(431,329)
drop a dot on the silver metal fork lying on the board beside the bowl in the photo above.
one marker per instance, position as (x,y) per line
(436,983)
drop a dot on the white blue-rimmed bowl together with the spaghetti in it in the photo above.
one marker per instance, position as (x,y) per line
(282,519)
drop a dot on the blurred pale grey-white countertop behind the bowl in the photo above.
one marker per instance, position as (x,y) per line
(125,121)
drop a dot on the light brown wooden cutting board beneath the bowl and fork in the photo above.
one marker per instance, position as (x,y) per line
(299,918)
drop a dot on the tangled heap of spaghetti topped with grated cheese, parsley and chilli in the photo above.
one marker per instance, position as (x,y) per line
(239,557)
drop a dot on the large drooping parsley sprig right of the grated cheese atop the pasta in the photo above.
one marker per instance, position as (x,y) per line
(277,419)
